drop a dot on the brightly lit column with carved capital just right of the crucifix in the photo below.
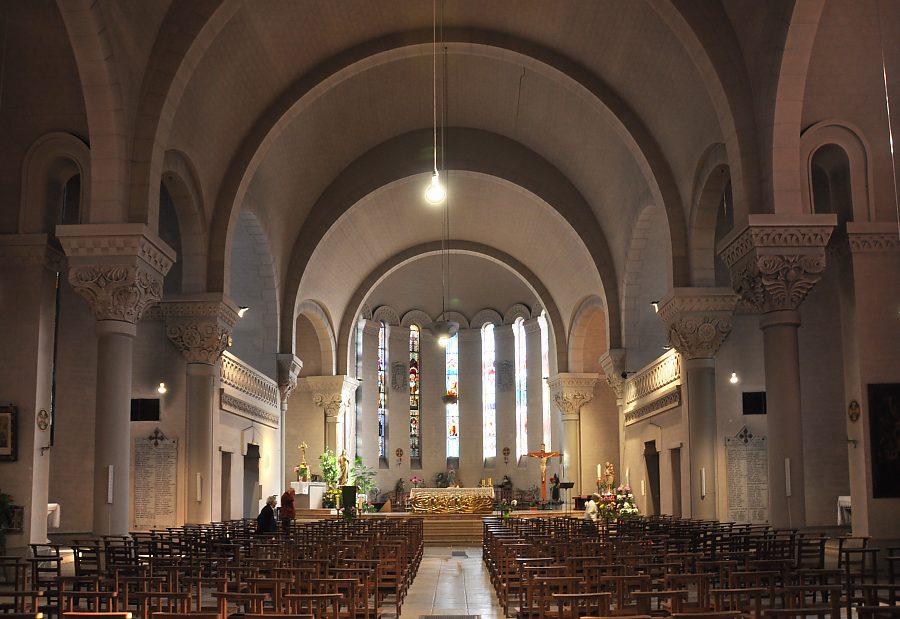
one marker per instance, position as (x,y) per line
(569,393)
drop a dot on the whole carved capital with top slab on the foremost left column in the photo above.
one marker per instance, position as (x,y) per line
(117,268)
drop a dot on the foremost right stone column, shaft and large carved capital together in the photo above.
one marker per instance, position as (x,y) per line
(775,261)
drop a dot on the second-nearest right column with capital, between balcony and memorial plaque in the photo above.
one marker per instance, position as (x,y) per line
(698,321)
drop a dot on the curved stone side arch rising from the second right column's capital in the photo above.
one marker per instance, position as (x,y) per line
(710,181)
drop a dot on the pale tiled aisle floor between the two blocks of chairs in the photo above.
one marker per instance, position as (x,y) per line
(451,585)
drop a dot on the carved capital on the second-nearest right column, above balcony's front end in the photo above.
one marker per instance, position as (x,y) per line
(698,319)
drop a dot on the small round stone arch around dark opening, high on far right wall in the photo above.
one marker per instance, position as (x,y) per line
(850,139)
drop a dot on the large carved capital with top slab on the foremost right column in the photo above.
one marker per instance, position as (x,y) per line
(776,260)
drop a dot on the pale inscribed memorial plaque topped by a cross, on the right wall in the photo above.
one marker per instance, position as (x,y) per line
(747,478)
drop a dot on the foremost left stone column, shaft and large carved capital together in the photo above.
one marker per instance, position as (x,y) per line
(119,270)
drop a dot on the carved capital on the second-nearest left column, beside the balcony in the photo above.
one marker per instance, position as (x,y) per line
(200,326)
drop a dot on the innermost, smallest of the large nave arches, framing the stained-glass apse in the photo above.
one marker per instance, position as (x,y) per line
(356,304)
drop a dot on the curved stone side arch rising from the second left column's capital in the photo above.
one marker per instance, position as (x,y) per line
(180,180)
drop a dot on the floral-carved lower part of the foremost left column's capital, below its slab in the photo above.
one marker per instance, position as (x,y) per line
(117,291)
